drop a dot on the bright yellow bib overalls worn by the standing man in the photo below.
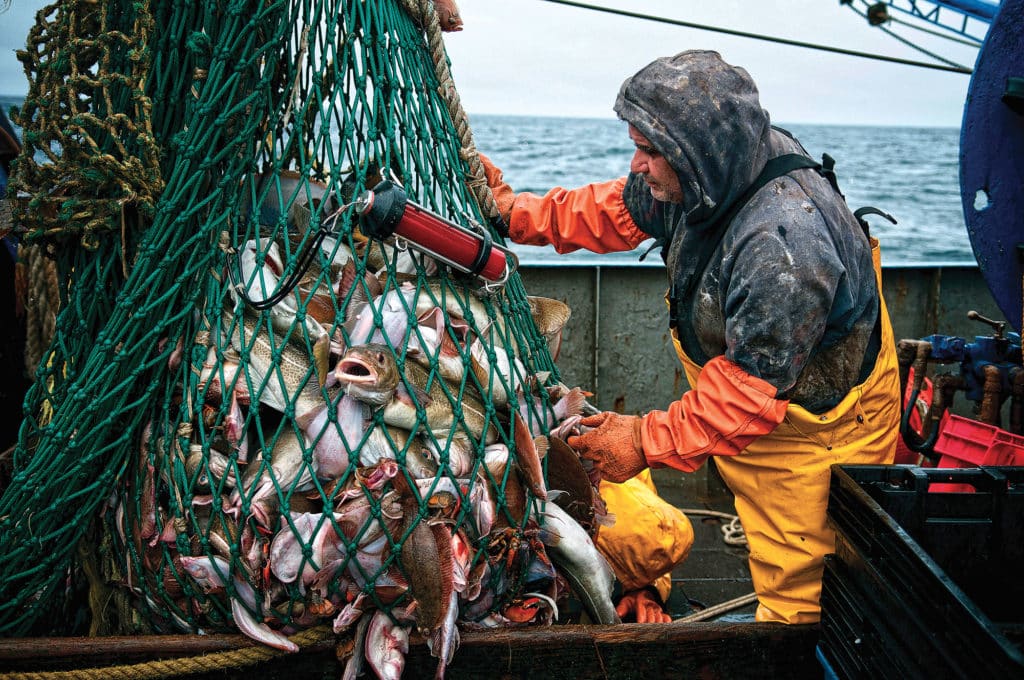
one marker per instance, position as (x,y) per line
(781,482)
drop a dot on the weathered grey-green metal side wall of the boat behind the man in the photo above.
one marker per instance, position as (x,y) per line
(618,347)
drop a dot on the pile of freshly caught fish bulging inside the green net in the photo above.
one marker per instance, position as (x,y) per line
(370,452)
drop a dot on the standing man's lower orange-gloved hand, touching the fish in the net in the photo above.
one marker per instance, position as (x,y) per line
(614,445)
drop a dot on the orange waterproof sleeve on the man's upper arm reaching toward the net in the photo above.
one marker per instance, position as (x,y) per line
(593,218)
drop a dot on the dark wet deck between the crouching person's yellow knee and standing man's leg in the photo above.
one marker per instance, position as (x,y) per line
(714,572)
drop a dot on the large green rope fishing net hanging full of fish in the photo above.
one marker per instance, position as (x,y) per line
(247,472)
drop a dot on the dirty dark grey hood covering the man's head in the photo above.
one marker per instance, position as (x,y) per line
(705,117)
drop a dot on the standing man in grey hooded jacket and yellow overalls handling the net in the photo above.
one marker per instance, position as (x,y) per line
(776,310)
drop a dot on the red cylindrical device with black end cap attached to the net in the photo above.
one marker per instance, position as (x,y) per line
(387,210)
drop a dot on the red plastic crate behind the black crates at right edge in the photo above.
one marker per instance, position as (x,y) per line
(965,444)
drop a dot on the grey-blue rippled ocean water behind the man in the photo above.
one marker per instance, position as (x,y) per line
(911,174)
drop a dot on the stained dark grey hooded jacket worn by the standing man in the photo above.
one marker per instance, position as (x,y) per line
(790,293)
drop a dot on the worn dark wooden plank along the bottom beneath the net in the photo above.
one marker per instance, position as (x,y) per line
(637,651)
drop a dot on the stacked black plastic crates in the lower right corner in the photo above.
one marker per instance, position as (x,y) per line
(925,584)
